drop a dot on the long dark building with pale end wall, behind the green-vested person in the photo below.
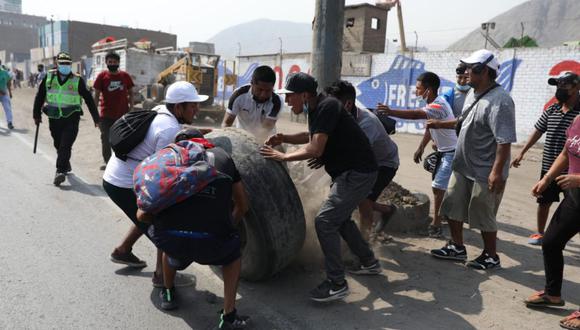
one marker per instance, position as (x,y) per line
(77,38)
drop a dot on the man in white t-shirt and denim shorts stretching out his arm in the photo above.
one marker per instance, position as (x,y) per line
(445,139)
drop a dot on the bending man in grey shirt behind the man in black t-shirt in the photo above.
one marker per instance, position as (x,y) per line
(385,150)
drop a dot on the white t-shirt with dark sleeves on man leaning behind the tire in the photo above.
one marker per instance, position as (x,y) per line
(249,113)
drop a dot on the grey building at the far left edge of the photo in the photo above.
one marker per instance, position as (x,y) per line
(19,33)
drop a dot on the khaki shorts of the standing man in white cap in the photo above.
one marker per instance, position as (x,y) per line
(472,202)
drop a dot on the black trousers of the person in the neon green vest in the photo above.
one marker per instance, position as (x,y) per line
(64,132)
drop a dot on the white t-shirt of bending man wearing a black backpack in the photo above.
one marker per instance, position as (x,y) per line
(161,133)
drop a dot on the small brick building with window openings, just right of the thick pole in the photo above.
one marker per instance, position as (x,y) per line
(365,29)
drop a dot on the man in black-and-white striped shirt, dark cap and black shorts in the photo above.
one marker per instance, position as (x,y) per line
(554,122)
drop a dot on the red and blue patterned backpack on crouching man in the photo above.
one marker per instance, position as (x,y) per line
(172,175)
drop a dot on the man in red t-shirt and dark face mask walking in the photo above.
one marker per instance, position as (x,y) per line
(114,93)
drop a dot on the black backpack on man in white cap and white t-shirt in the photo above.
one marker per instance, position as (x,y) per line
(130,130)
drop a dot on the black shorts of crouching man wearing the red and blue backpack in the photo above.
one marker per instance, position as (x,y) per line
(183,251)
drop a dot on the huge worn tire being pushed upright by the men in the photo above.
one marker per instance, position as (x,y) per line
(274,228)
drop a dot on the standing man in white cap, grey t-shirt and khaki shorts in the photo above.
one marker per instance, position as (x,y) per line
(481,163)
